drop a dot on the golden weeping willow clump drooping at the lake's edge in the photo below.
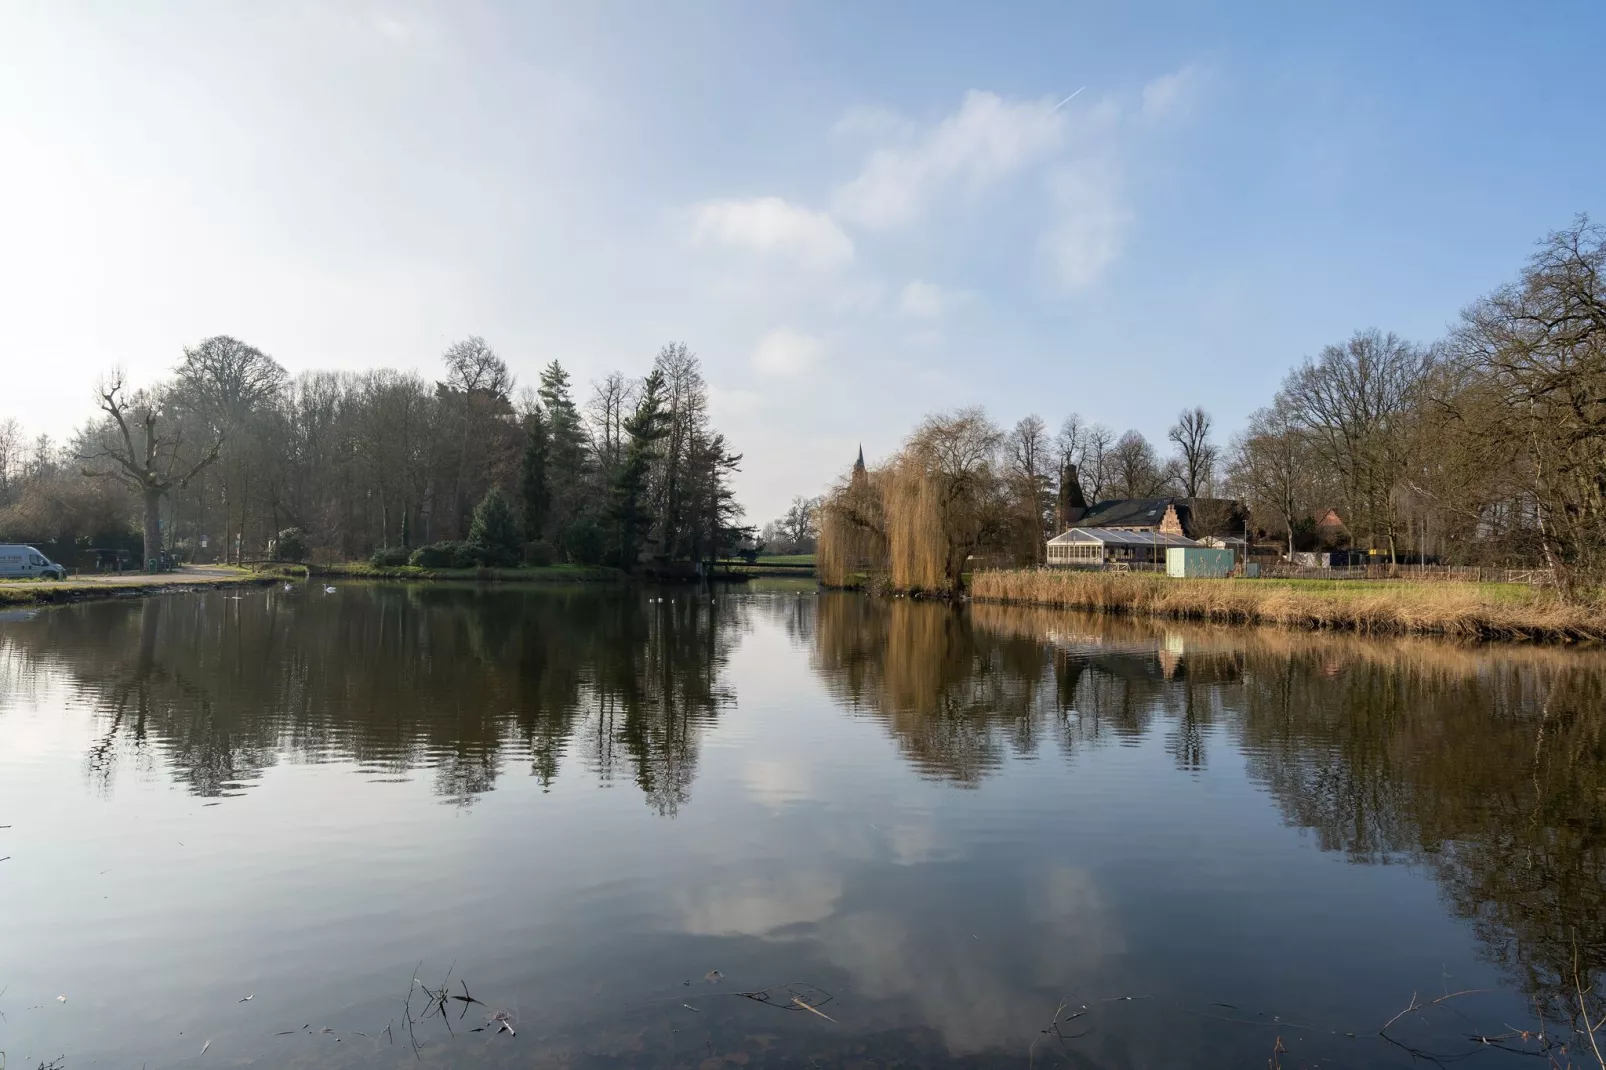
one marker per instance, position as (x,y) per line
(921,518)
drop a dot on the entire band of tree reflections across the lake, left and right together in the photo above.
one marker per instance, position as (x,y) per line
(1485,767)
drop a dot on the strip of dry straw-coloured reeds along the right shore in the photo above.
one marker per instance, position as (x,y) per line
(1406,610)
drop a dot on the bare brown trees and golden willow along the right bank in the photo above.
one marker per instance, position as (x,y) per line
(1486,447)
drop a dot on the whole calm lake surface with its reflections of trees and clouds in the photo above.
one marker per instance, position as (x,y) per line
(913,835)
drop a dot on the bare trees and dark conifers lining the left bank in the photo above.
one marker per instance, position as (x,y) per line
(235,460)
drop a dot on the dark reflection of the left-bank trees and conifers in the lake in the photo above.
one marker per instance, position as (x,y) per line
(396,679)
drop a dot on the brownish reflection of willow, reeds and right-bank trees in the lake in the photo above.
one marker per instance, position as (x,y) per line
(1485,766)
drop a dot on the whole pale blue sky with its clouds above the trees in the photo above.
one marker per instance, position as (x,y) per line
(855,214)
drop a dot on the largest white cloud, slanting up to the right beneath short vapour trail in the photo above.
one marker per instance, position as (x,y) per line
(984,142)
